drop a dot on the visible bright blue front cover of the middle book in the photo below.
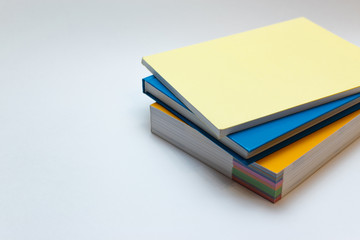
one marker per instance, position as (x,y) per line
(253,138)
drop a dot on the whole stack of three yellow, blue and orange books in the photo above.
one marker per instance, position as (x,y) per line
(267,107)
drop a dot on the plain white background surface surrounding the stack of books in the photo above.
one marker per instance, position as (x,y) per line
(77,159)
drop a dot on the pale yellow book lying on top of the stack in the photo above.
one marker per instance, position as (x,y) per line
(240,81)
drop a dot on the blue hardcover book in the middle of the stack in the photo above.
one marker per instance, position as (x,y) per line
(252,141)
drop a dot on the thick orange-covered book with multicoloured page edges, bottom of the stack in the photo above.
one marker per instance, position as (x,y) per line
(273,176)
